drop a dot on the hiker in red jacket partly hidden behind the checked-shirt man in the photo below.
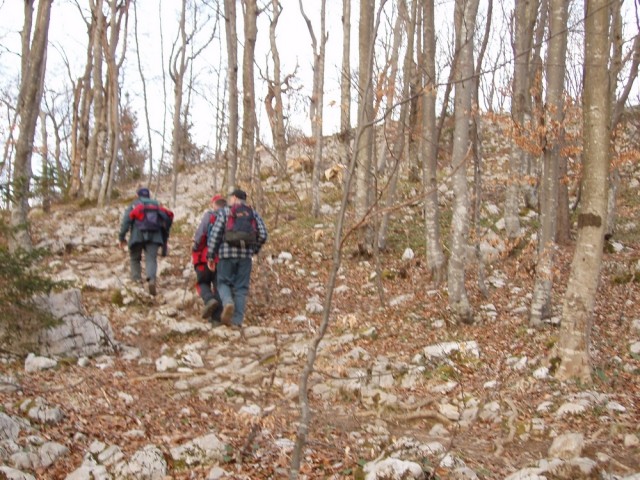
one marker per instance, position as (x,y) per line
(205,277)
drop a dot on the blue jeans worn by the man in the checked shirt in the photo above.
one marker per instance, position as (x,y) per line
(234,275)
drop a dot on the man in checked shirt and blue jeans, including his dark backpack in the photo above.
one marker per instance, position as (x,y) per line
(237,234)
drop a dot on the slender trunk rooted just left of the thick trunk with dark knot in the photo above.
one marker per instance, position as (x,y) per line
(556,60)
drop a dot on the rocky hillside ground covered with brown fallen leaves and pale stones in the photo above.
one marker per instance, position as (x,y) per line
(135,386)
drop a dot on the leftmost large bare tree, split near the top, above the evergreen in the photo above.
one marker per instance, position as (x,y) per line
(34,54)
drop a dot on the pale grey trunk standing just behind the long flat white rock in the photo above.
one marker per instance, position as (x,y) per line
(458,301)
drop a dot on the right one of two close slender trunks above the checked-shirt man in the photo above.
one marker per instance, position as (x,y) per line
(248,86)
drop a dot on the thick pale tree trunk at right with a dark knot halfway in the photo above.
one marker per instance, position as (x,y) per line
(572,350)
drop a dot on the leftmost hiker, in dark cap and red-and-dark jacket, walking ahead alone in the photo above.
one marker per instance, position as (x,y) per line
(149,224)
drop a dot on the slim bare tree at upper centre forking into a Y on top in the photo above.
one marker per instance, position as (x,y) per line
(317,99)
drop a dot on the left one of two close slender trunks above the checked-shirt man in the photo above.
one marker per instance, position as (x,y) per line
(232,72)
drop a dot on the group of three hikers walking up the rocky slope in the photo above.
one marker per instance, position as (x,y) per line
(229,234)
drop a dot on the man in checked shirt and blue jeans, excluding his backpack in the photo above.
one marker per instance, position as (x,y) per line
(233,269)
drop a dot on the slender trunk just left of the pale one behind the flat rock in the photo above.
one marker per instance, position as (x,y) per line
(429,150)
